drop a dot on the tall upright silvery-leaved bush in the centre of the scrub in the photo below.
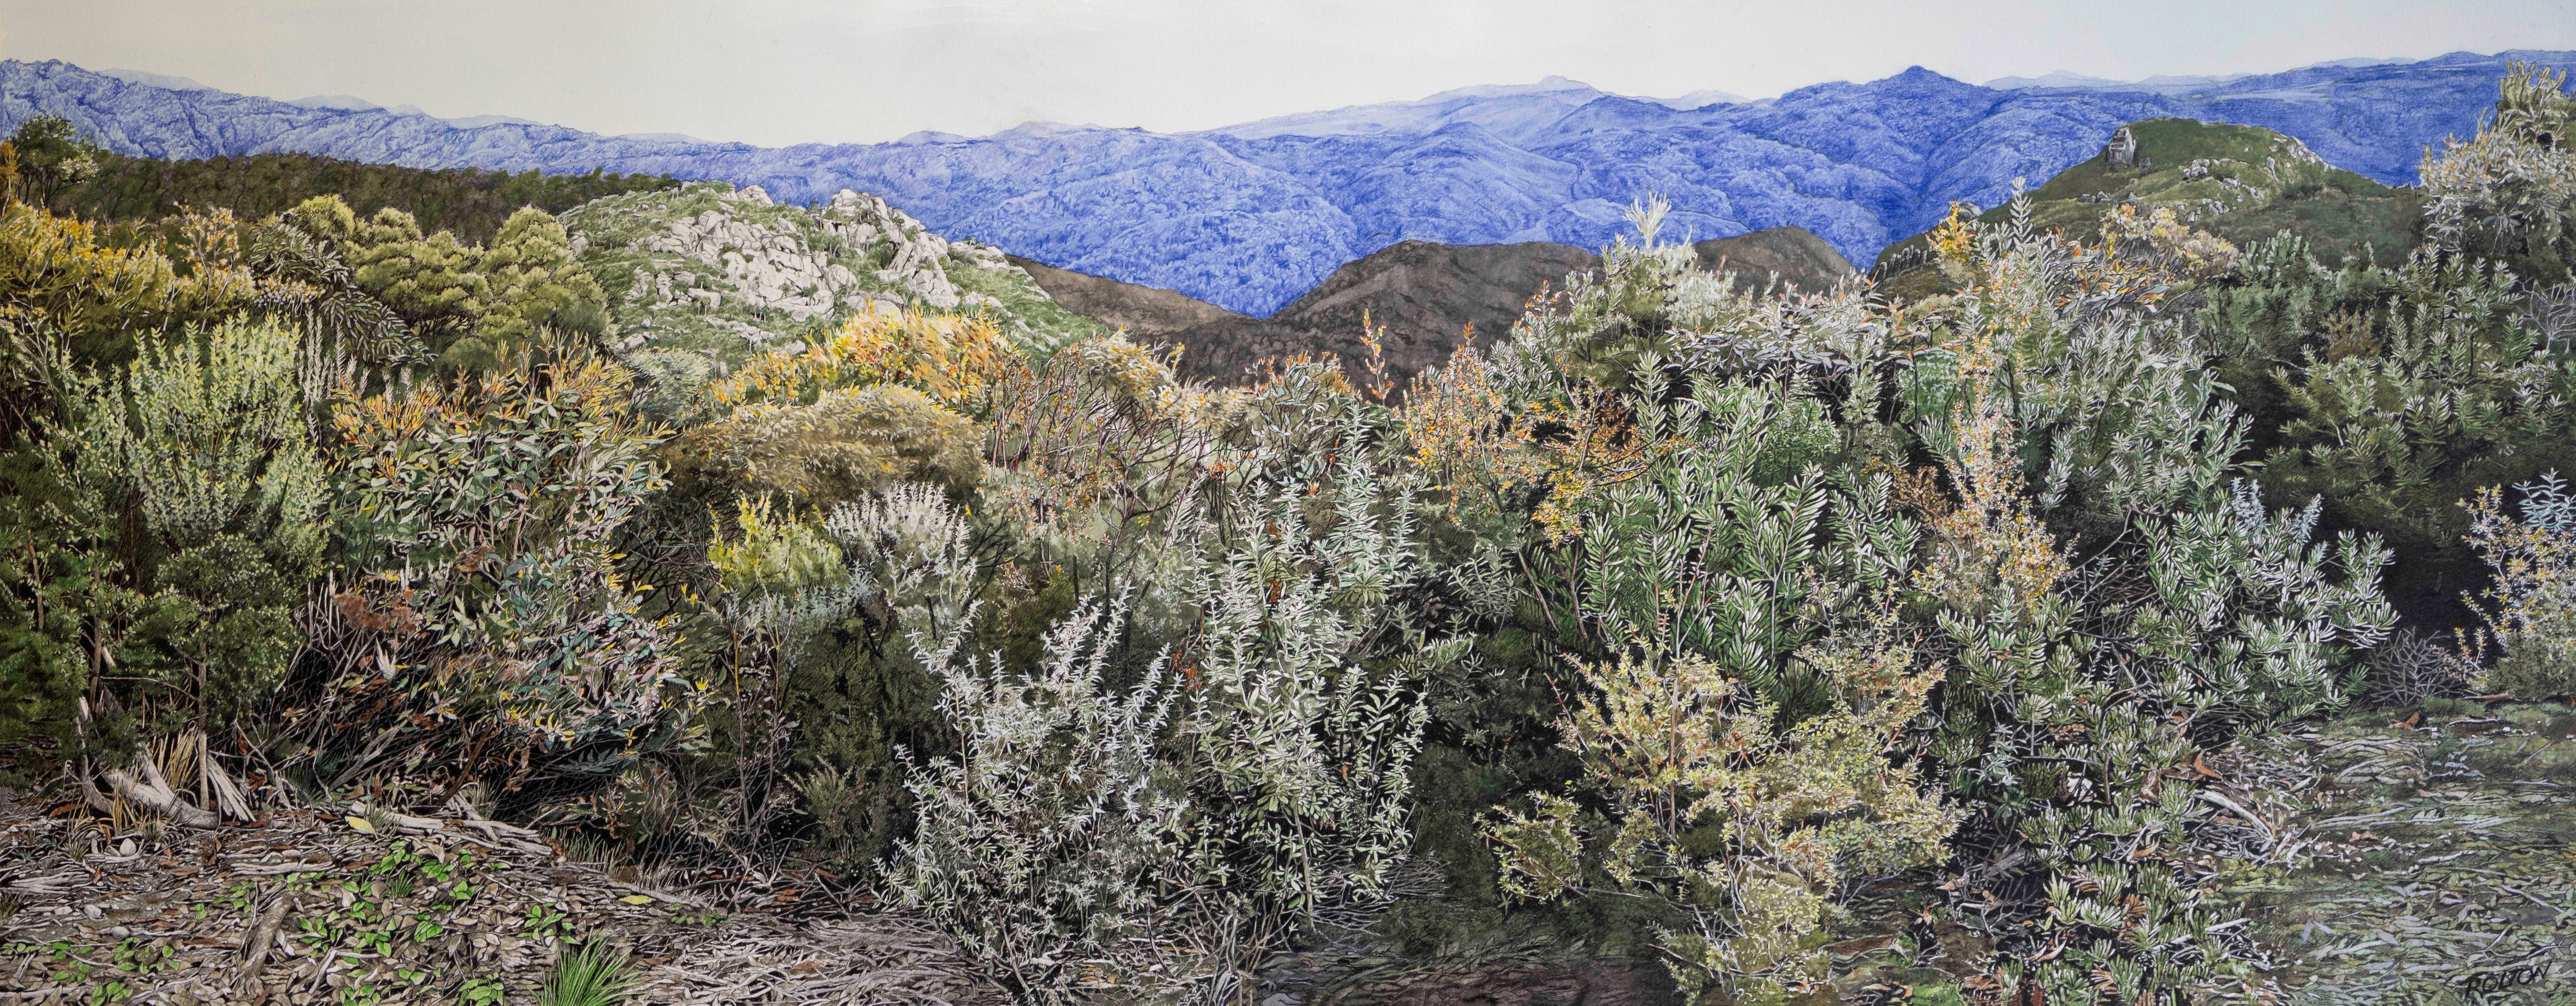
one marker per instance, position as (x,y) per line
(1302,724)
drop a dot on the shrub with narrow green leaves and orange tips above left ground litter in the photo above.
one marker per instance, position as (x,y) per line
(478,520)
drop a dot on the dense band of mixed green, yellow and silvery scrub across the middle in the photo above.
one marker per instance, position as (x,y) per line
(1678,618)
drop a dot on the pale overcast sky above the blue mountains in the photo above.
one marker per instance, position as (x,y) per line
(862,71)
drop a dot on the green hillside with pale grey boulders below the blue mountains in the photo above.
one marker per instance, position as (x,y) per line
(730,275)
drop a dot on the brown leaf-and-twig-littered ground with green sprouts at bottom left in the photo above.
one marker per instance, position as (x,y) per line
(416,912)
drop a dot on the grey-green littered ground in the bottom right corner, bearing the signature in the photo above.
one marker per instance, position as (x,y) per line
(2436,860)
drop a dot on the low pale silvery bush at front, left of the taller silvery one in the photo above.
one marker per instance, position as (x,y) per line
(1047,847)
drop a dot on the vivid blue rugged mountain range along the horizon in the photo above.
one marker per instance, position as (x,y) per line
(1256,215)
